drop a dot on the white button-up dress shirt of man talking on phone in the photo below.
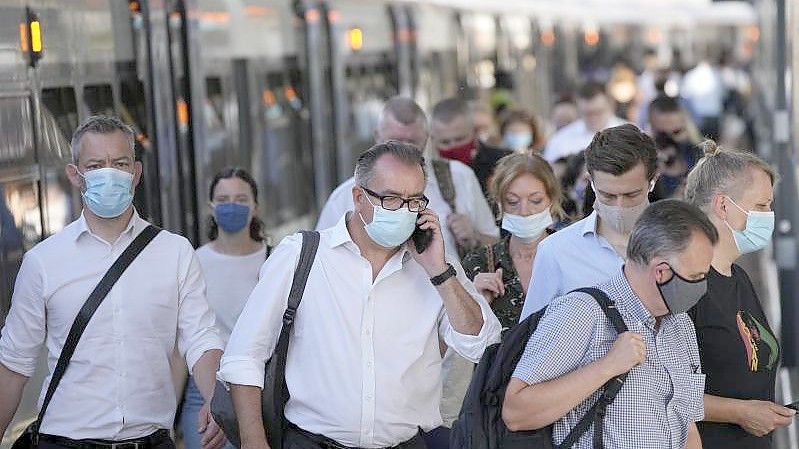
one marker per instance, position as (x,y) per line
(364,362)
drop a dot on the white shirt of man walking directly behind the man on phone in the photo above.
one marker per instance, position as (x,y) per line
(469,201)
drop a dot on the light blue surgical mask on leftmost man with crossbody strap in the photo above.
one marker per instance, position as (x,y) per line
(109,192)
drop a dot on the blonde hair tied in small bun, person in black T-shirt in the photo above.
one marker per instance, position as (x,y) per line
(722,171)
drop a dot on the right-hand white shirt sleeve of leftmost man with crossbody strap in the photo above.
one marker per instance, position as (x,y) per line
(197,332)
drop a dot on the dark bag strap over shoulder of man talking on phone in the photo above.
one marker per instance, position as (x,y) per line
(310,243)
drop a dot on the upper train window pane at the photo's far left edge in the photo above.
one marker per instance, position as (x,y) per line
(16,133)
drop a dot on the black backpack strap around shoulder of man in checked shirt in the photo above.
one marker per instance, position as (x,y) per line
(596,415)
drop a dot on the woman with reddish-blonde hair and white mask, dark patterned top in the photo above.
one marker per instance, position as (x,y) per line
(528,195)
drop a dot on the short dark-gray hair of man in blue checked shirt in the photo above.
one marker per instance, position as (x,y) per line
(665,229)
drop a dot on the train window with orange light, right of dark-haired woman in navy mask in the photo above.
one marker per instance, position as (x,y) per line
(284,167)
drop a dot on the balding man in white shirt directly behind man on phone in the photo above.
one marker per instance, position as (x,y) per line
(472,223)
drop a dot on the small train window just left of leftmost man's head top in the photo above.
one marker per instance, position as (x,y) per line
(59,120)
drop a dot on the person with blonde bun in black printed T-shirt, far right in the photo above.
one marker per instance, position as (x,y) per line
(739,352)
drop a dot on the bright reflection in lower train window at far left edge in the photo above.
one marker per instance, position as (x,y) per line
(20,229)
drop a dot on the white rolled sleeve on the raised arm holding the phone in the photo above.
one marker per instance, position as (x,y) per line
(471,347)
